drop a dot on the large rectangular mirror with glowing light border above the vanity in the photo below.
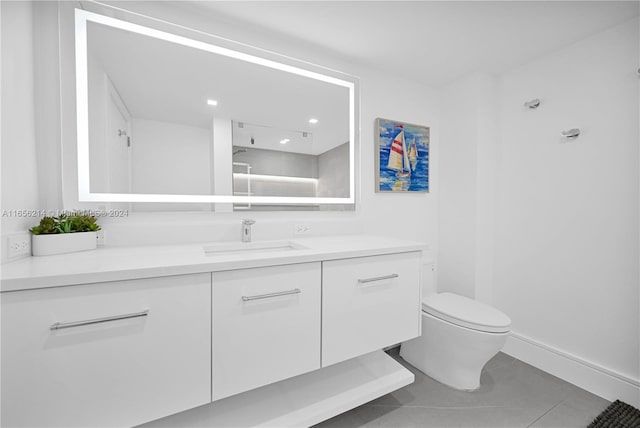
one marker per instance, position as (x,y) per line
(173,121)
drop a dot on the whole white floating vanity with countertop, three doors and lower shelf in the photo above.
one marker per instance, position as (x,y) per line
(285,333)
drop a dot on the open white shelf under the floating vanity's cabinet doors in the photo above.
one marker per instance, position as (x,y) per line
(301,401)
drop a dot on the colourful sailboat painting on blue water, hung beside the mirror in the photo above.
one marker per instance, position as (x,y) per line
(402,157)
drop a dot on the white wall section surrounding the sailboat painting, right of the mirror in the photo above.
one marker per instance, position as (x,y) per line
(407,216)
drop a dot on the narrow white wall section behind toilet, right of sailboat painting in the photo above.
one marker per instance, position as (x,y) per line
(466,211)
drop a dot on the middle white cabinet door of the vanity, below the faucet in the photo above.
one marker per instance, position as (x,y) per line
(266,326)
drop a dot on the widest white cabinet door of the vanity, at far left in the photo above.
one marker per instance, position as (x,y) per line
(153,362)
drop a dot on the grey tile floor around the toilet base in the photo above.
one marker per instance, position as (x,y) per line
(512,394)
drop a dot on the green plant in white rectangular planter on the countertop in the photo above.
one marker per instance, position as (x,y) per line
(66,233)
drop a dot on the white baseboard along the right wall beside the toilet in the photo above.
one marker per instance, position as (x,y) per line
(596,379)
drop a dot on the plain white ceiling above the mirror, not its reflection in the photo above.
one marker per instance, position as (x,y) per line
(432,42)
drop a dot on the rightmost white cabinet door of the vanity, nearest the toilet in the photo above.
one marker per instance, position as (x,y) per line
(369,303)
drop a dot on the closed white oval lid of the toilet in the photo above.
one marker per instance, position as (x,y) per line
(466,312)
